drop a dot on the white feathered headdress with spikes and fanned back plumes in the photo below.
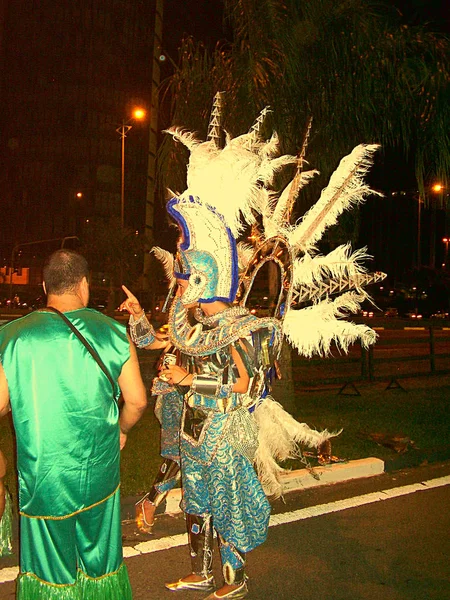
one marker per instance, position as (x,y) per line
(316,292)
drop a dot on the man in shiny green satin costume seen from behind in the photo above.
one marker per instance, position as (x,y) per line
(69,436)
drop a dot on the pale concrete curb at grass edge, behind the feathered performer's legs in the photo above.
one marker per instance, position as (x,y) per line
(302,479)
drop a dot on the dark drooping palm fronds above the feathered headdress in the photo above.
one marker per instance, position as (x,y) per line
(352,66)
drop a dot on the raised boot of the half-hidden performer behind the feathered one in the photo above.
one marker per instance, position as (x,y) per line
(165,480)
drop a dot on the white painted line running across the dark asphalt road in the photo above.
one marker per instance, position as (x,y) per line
(166,543)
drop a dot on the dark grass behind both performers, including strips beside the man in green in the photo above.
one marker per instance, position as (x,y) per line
(421,413)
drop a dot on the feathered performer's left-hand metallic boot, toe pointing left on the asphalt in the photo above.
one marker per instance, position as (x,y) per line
(200,544)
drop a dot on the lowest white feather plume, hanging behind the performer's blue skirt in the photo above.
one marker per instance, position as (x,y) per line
(280,437)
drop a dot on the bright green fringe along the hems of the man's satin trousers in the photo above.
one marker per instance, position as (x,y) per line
(115,586)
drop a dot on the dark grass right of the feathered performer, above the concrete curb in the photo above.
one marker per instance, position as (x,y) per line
(420,413)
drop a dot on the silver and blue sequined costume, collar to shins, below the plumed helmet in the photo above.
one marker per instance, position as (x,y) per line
(219,436)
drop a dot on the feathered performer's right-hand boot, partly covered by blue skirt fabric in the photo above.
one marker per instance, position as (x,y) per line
(233,569)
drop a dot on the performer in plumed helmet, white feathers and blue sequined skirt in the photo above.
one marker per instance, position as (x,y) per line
(230,421)
